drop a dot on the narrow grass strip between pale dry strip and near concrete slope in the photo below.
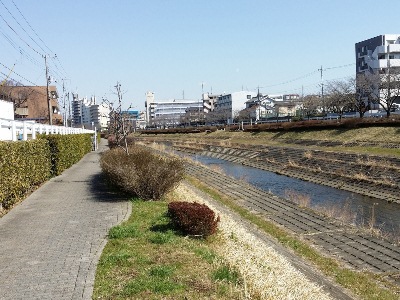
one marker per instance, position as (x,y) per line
(364,284)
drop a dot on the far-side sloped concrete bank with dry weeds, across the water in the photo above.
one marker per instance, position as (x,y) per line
(368,175)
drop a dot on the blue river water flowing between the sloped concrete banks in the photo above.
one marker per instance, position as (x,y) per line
(362,210)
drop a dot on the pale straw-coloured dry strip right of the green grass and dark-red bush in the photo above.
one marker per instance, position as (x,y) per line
(266,274)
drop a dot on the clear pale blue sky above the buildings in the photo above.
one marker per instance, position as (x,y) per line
(181,48)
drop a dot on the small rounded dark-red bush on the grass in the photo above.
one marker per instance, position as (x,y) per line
(193,218)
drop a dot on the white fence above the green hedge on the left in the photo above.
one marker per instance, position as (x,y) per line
(11,130)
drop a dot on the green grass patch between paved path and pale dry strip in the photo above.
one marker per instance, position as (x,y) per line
(145,258)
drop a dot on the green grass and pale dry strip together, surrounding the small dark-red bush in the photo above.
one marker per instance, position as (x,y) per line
(146,258)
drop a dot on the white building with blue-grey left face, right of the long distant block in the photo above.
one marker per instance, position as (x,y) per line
(229,105)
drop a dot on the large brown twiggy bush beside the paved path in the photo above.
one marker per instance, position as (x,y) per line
(142,173)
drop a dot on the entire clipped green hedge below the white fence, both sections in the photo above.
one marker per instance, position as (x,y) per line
(24,165)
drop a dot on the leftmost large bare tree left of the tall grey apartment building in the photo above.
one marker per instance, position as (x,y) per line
(341,96)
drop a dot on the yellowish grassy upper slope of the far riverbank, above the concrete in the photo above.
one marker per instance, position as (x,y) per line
(373,140)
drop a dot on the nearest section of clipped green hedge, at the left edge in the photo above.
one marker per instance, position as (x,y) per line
(23,165)
